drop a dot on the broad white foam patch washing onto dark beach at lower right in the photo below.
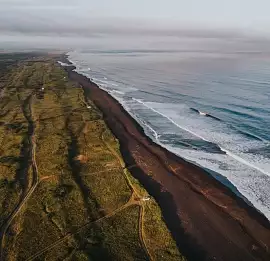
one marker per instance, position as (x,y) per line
(250,184)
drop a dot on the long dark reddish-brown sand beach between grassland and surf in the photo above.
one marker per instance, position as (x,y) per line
(207,220)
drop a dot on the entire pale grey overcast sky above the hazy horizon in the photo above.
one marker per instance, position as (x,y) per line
(87,18)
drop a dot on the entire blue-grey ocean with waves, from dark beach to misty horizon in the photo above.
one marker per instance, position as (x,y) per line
(209,105)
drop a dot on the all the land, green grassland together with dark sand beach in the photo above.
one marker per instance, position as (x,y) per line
(80,180)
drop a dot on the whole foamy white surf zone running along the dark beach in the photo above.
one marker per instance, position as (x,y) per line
(248,172)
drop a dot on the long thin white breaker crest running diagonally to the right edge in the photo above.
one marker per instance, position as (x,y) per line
(239,159)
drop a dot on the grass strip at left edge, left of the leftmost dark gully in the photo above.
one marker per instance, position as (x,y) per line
(14,143)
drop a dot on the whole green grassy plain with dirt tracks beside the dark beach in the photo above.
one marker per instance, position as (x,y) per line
(64,191)
